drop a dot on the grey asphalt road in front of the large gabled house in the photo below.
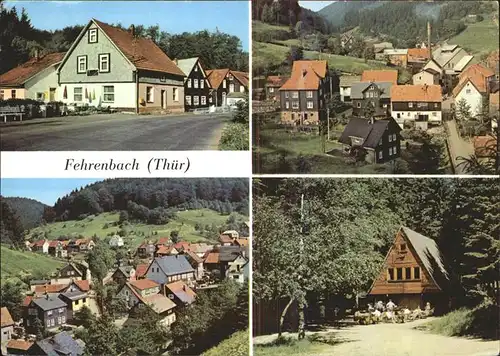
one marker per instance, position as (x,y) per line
(114,132)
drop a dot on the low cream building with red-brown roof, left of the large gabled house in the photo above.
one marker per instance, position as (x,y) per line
(35,79)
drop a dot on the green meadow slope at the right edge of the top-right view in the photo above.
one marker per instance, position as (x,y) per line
(478,38)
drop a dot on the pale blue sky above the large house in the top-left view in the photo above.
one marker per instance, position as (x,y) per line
(173,16)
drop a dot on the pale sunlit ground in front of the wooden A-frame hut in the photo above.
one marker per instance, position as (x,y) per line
(400,340)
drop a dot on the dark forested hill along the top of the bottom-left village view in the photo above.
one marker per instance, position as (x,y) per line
(152,200)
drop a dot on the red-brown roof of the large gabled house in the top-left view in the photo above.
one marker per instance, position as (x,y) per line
(142,52)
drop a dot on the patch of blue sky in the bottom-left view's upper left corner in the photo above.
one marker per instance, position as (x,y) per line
(44,190)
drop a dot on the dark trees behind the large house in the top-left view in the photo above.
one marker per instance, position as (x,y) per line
(19,40)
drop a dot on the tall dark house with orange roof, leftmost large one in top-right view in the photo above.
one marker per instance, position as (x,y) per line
(303,96)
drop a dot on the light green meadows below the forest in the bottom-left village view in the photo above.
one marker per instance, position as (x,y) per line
(95,225)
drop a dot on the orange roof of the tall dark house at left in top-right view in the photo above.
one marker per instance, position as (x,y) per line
(306,75)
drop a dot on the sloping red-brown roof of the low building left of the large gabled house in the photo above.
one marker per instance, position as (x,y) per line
(19,75)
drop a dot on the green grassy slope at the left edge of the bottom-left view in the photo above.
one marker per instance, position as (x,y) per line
(15,262)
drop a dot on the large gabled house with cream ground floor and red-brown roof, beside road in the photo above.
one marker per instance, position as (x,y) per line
(110,67)
